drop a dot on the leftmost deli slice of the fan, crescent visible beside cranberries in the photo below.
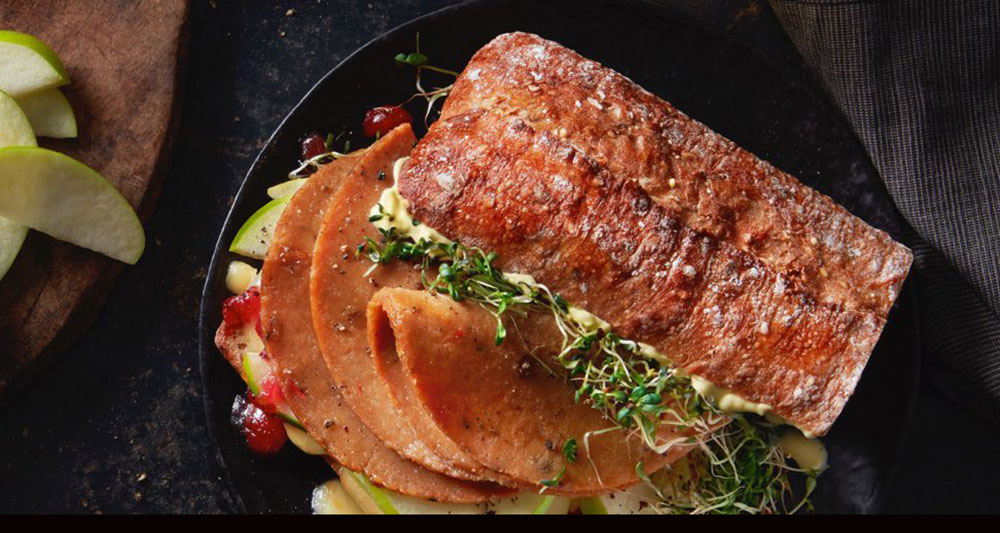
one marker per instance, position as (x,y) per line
(294,352)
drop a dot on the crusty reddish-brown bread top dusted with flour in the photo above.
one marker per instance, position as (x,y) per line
(729,267)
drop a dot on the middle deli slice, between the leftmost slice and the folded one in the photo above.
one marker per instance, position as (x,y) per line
(339,294)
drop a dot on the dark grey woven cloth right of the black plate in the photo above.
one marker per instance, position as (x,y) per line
(919,81)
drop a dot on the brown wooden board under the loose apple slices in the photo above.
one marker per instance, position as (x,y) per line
(124,59)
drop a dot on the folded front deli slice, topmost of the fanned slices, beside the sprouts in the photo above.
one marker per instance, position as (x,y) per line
(510,406)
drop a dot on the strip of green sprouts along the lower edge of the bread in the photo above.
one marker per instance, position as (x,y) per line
(735,466)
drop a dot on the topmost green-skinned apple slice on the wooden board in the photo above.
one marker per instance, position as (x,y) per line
(28,65)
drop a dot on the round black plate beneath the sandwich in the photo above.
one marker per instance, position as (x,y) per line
(772,110)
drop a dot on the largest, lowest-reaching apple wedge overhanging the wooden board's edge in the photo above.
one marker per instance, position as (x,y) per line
(60,196)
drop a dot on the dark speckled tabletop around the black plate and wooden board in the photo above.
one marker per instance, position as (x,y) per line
(119,424)
